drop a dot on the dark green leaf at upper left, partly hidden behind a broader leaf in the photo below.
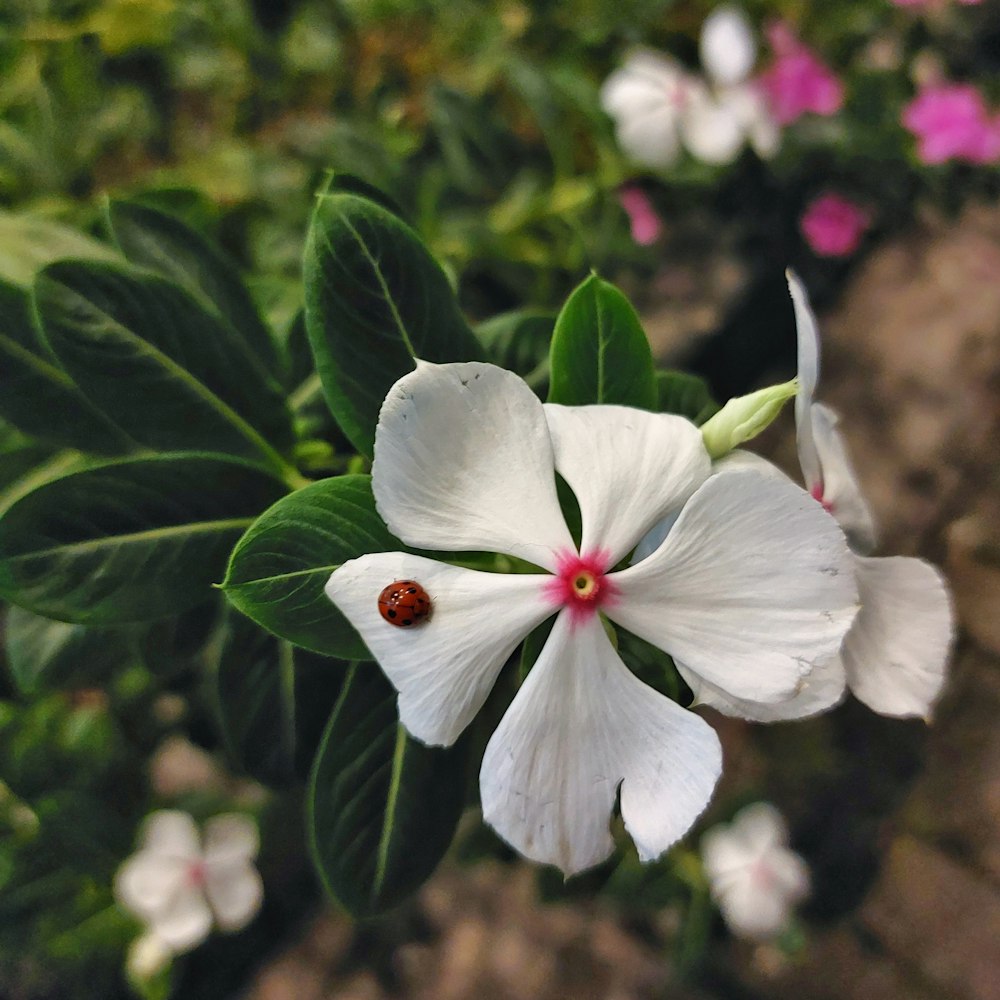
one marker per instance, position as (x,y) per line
(163,243)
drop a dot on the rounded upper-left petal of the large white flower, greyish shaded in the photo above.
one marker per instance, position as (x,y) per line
(463,460)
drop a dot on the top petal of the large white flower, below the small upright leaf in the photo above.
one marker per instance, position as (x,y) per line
(659,458)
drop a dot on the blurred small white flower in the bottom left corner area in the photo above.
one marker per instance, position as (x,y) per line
(179,886)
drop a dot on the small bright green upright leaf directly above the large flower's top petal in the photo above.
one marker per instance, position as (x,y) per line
(600,353)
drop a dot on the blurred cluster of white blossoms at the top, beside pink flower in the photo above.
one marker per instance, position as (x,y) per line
(658,106)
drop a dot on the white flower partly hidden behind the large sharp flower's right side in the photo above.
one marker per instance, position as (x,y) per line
(894,657)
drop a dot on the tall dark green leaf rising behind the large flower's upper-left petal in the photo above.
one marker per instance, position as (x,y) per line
(375,300)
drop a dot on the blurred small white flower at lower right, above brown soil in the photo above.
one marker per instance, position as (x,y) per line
(753,876)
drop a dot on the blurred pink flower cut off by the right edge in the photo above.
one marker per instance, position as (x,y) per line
(951,122)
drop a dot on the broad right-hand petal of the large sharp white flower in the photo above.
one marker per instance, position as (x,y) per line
(752,588)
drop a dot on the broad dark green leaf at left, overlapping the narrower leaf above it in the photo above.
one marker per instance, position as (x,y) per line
(159,364)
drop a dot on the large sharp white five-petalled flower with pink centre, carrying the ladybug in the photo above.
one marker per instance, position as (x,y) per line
(751,588)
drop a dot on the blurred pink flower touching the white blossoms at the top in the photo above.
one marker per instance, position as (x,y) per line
(797,81)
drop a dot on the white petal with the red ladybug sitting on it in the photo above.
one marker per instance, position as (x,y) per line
(444,667)
